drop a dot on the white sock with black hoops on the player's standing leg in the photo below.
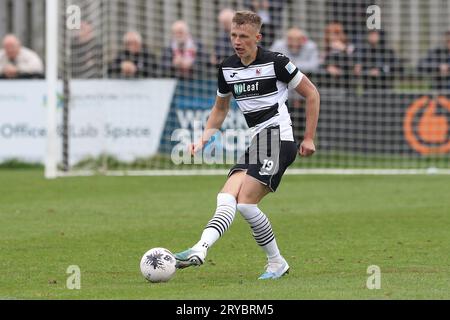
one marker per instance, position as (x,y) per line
(262,229)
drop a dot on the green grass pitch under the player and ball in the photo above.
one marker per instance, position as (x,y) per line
(329,228)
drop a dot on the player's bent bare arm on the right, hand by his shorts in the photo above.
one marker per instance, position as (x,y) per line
(309,91)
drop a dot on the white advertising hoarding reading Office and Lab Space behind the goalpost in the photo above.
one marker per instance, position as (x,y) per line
(124,118)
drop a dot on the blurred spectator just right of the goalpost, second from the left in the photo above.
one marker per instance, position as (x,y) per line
(86,53)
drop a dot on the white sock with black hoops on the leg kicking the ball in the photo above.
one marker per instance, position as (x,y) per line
(216,227)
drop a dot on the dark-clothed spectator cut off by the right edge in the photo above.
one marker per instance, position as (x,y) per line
(437,64)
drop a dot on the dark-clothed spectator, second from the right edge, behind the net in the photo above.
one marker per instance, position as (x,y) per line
(375,63)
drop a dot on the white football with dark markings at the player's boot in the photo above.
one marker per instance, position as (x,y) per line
(158,265)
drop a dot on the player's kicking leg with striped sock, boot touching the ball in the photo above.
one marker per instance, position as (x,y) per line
(216,227)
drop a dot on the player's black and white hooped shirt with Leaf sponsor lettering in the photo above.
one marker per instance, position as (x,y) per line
(261,89)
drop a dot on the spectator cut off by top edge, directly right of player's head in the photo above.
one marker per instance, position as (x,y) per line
(271,12)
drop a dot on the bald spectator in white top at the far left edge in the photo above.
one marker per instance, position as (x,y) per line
(17,61)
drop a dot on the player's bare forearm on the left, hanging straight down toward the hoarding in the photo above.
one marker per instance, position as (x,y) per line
(216,118)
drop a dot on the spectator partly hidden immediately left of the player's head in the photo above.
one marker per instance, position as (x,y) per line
(223,47)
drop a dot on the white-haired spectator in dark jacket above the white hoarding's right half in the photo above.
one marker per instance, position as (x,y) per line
(135,61)
